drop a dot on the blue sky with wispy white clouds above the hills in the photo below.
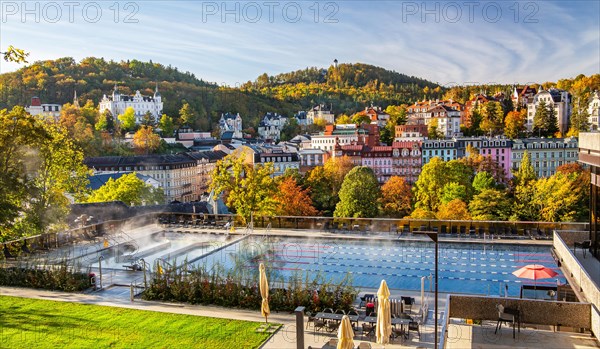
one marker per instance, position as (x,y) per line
(459,42)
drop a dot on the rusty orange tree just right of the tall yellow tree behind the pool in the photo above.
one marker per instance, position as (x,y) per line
(292,200)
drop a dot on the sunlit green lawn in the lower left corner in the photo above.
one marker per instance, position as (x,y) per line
(32,323)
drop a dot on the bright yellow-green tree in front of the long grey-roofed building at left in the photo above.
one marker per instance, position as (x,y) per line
(130,190)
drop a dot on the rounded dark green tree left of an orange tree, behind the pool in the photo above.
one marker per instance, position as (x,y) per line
(358,195)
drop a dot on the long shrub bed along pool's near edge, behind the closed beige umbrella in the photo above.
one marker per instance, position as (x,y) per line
(232,288)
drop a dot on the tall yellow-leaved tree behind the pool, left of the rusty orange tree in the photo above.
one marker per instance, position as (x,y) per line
(250,190)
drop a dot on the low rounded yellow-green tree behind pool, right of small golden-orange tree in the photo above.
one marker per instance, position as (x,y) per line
(491,205)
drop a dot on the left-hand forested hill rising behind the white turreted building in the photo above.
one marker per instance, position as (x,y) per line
(56,81)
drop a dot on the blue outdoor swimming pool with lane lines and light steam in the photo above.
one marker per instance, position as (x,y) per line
(473,268)
